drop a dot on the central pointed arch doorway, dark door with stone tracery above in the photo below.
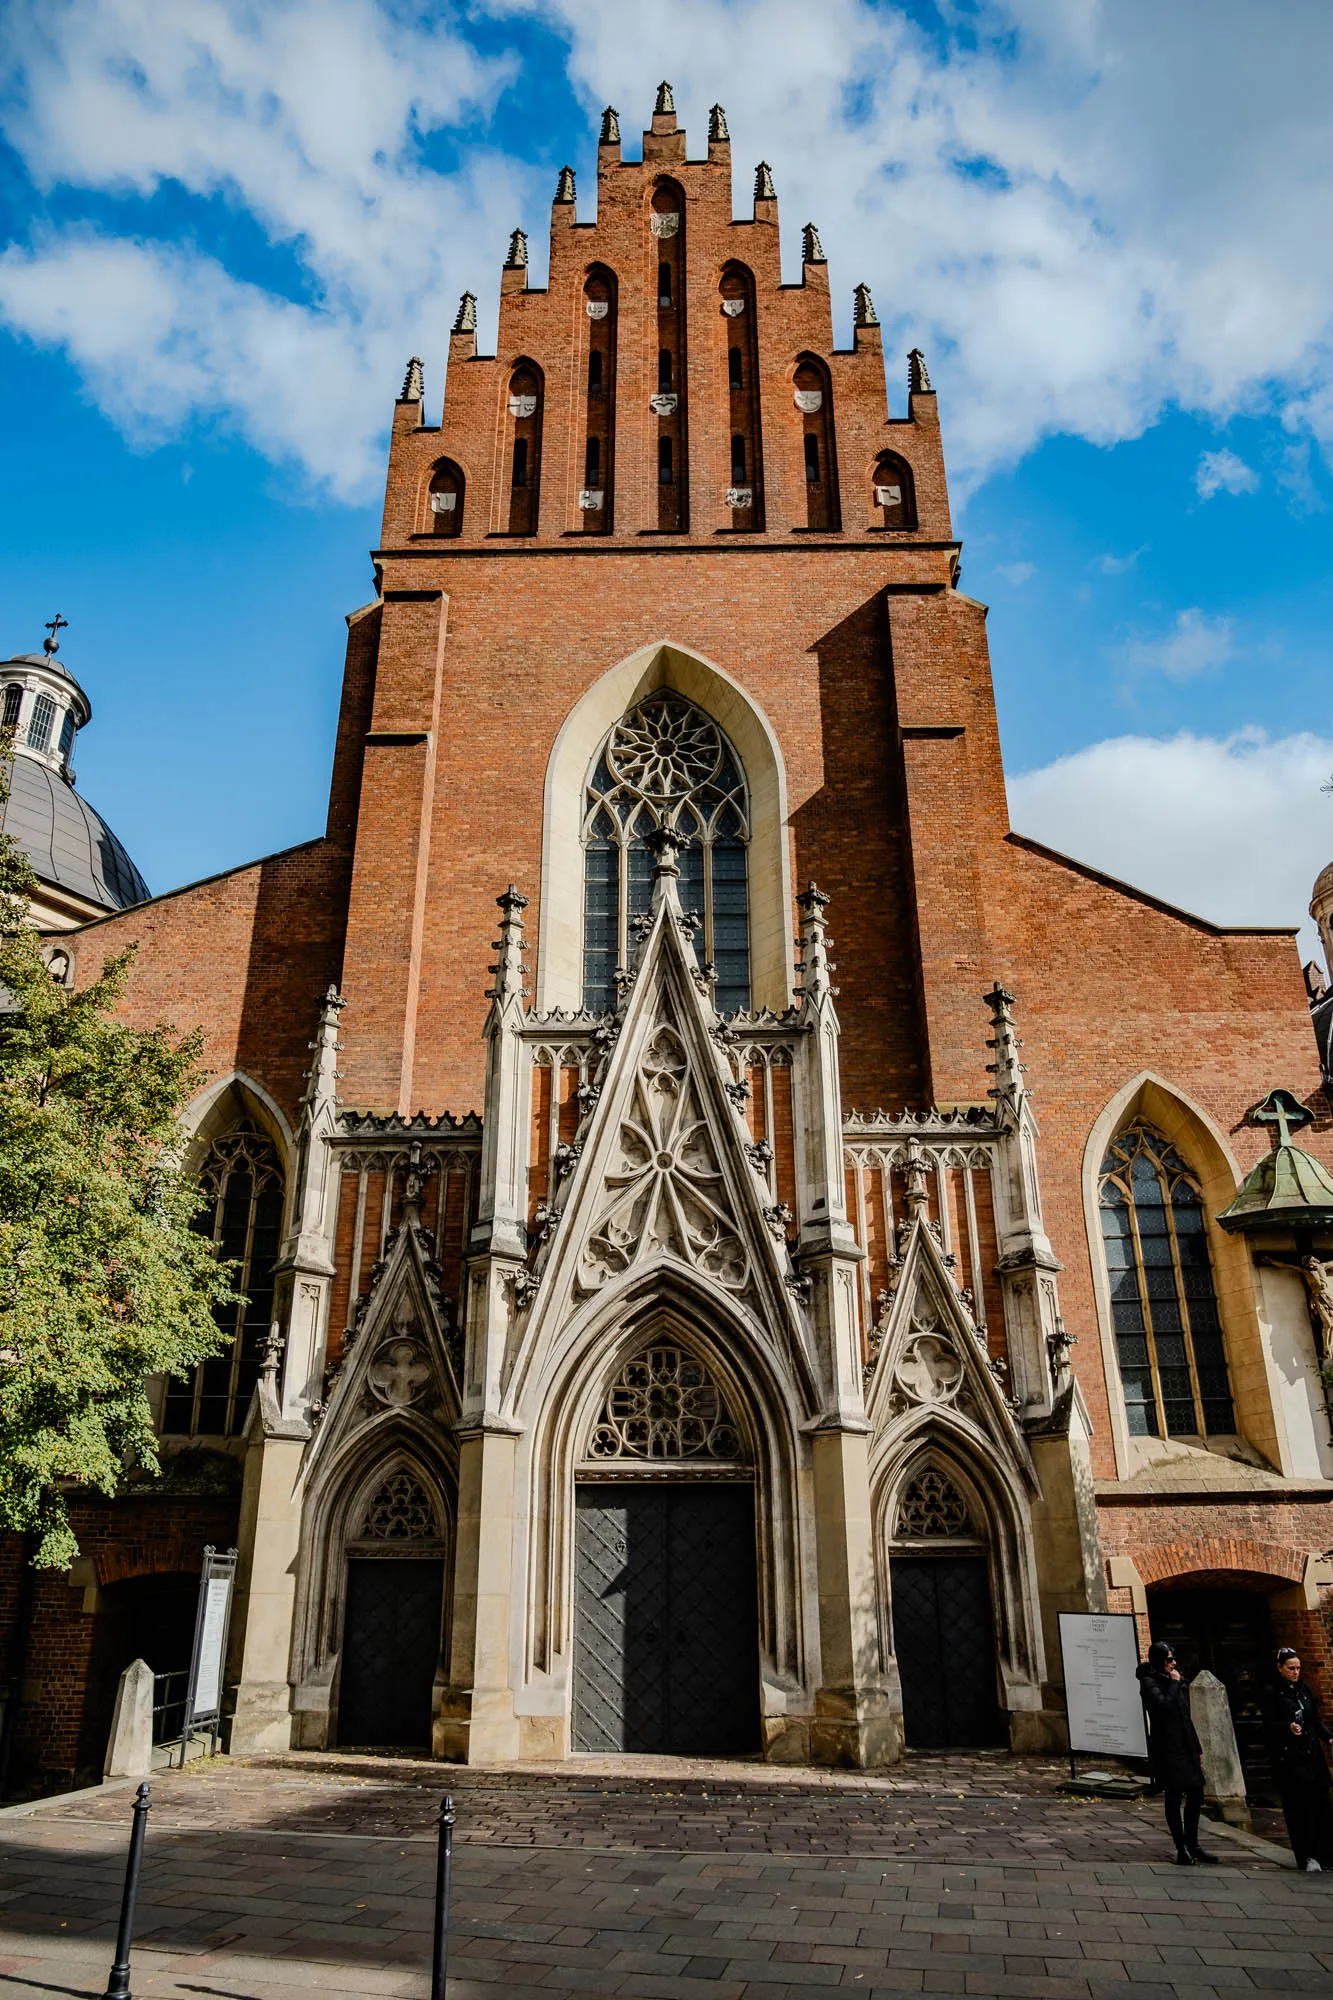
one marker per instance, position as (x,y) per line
(665,1573)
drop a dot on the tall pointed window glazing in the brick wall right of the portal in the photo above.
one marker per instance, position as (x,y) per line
(1164,1303)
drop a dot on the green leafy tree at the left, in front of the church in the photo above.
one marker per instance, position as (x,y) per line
(103,1279)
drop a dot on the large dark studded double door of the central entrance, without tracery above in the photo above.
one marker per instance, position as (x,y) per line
(665,1619)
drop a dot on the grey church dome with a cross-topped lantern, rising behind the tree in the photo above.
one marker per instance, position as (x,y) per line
(71,847)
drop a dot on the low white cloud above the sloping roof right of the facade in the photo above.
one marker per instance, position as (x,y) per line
(1232,829)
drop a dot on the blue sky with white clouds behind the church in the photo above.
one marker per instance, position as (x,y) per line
(227,227)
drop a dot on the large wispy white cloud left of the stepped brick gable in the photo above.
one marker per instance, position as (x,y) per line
(303,115)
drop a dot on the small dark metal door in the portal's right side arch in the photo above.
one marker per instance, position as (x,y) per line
(946,1647)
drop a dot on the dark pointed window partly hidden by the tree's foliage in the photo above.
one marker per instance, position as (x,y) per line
(243,1217)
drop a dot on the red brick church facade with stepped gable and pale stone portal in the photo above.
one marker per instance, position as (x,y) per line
(635,1231)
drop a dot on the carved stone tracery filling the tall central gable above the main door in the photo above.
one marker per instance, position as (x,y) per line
(668,1193)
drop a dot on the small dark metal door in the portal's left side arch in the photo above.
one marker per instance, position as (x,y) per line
(391,1649)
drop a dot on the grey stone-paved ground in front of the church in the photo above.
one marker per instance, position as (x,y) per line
(738,1883)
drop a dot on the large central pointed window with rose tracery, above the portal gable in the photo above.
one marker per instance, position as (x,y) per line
(668,765)
